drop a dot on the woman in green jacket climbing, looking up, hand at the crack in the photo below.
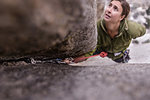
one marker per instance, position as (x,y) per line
(115,32)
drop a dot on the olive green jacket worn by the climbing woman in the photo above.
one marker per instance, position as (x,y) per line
(128,30)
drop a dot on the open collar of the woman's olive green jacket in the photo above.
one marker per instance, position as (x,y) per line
(123,26)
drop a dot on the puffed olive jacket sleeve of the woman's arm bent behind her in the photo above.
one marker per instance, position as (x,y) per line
(135,29)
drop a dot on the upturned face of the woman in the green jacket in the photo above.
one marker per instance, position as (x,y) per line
(113,12)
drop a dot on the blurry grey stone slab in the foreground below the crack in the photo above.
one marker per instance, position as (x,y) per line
(63,82)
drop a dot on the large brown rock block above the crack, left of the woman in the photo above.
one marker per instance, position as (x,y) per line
(47,27)
